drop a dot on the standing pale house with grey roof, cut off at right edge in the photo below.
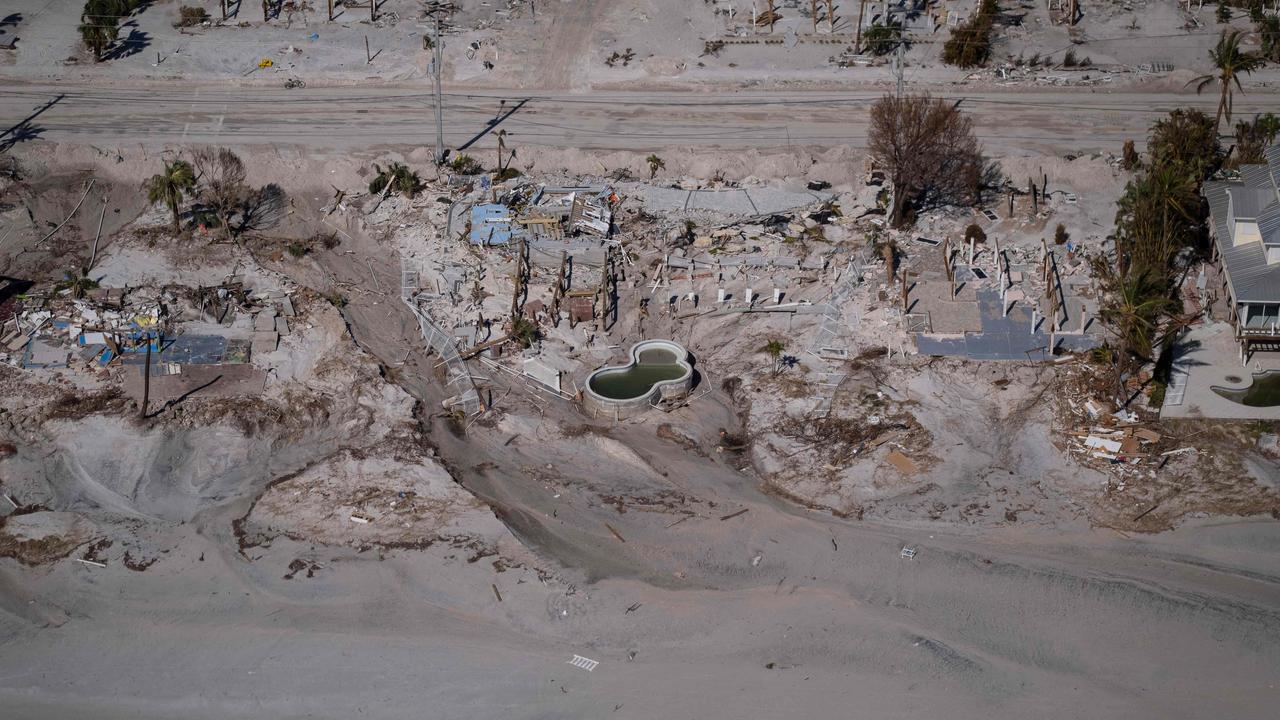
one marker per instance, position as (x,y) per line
(1245,222)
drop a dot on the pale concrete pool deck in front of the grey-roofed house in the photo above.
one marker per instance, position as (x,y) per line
(1206,357)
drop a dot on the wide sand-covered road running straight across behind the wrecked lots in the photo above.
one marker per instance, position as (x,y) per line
(355,119)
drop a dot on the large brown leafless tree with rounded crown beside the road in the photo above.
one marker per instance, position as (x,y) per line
(930,152)
